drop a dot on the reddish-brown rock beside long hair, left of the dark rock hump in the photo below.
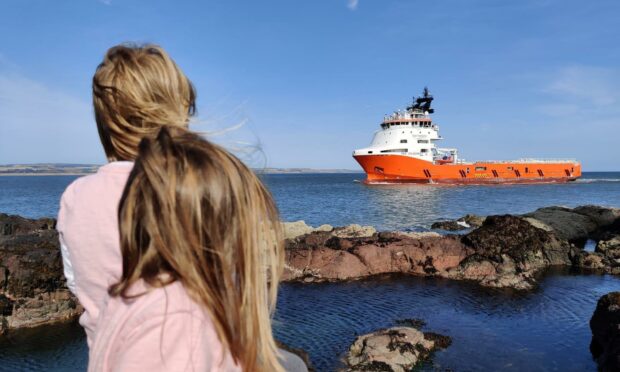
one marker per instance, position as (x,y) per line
(322,256)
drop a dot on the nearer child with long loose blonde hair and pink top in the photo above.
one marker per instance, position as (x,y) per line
(202,255)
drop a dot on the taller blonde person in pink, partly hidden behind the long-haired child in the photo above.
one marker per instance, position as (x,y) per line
(136,91)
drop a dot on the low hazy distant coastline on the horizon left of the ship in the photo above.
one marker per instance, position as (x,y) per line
(56,169)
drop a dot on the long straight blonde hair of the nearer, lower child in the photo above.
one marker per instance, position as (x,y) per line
(193,212)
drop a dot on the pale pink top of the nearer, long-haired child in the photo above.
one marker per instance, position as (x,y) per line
(163,330)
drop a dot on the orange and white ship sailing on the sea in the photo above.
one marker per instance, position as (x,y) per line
(405,150)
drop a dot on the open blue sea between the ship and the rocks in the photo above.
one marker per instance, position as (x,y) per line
(340,199)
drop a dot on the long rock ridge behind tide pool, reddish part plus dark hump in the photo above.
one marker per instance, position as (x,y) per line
(506,251)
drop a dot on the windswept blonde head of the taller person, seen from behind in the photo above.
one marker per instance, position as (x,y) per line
(136,91)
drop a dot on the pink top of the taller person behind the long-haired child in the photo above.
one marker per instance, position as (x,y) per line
(89,237)
